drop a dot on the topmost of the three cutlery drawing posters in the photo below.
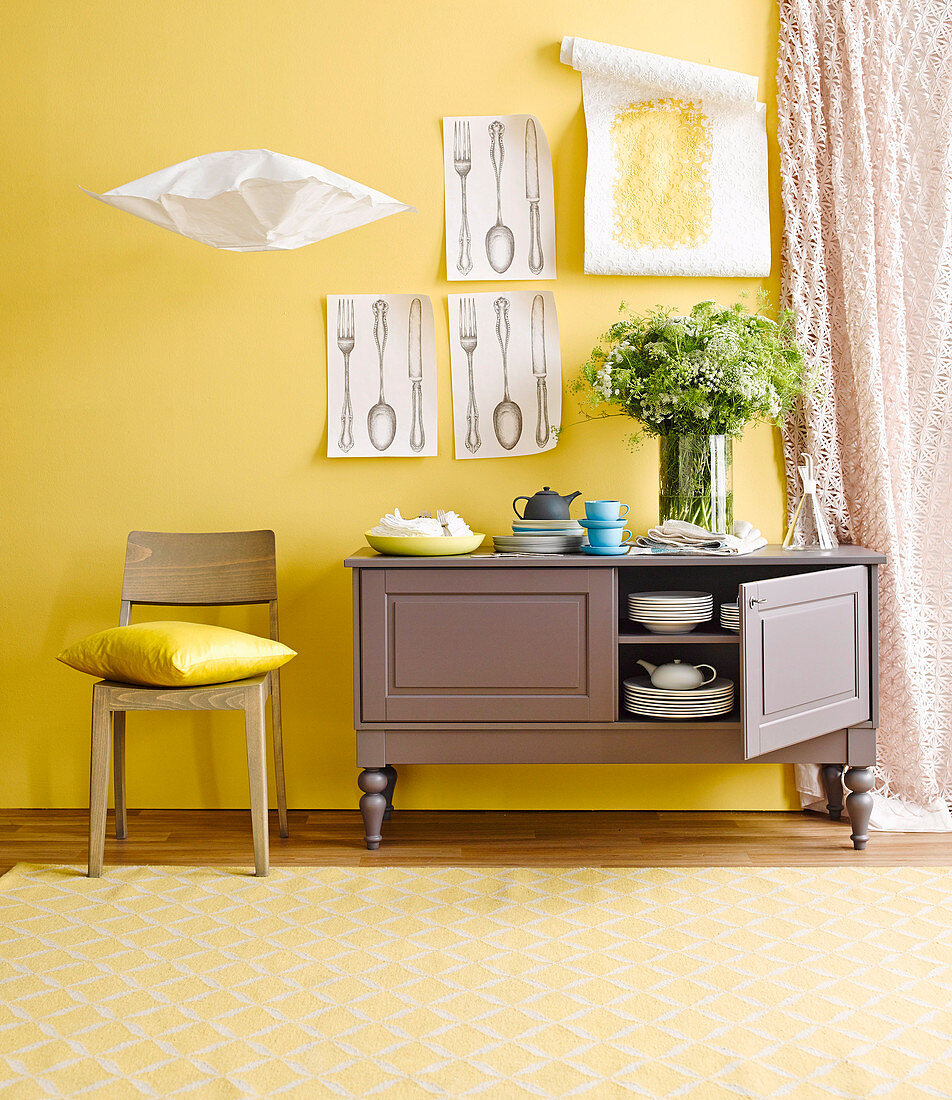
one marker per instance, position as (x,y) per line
(498,185)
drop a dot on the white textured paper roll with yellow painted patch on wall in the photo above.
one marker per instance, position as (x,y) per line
(677,172)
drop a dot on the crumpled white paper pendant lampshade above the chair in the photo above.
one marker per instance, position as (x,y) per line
(253,201)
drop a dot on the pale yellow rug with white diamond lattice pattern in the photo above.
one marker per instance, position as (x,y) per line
(491,983)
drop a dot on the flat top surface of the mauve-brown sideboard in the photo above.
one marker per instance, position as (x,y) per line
(485,559)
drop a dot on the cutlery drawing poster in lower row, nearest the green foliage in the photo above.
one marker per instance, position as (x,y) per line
(507,373)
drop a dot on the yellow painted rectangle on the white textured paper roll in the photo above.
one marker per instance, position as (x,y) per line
(662,191)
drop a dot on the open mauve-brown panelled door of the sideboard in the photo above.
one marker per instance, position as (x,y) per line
(805,657)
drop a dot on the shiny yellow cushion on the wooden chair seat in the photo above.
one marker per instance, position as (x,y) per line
(176,655)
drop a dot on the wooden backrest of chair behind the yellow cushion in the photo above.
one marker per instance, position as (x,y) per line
(210,568)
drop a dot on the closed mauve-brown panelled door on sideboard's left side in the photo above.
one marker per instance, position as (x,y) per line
(488,646)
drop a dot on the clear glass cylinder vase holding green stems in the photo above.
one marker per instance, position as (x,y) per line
(695,481)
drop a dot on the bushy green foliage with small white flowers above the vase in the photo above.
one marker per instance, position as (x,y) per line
(712,372)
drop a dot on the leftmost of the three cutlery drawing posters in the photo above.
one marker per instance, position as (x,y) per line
(381,377)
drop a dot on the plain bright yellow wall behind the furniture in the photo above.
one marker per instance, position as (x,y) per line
(156,383)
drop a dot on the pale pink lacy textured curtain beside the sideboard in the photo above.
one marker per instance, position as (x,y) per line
(866,133)
